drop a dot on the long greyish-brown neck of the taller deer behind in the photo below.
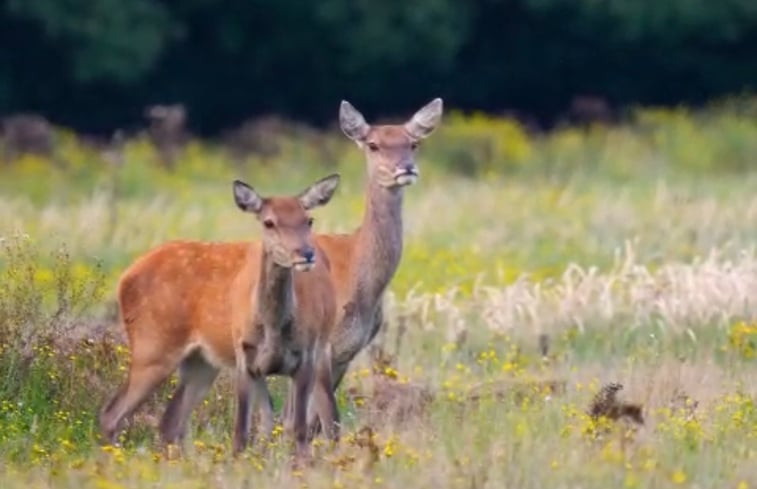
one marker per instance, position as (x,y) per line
(379,246)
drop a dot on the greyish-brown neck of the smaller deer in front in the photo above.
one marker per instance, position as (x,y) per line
(275,296)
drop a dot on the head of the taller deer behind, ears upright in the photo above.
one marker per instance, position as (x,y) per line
(390,149)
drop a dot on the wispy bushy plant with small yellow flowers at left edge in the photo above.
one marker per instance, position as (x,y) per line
(43,364)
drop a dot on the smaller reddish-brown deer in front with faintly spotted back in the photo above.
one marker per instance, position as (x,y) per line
(259,308)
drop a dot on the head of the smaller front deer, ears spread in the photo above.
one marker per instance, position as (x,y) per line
(286,223)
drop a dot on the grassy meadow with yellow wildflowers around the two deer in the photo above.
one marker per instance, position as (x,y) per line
(538,268)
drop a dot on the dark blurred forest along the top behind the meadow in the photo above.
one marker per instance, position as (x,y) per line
(94,66)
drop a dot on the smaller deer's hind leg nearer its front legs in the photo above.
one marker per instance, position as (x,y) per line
(196,377)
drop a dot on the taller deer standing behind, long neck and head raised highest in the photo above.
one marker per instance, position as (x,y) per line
(364,262)
